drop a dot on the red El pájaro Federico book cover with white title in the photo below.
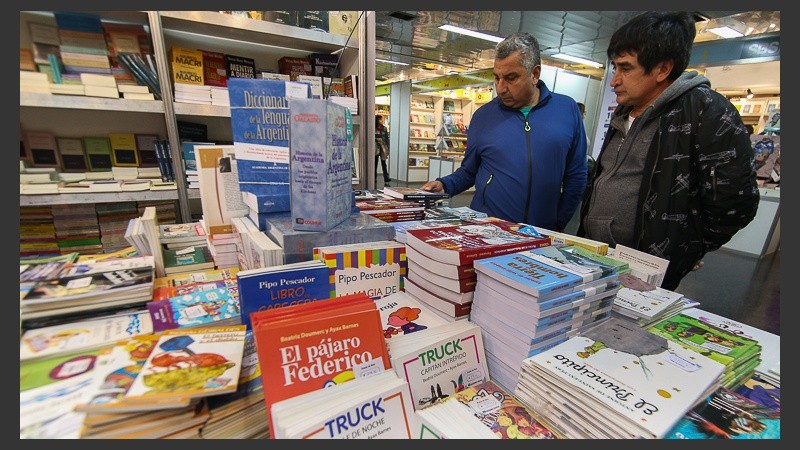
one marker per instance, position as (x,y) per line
(310,346)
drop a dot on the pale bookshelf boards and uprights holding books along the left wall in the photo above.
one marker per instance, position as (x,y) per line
(208,30)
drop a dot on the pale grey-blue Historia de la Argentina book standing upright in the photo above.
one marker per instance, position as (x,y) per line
(321,160)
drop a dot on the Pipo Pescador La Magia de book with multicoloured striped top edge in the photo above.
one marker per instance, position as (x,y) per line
(375,268)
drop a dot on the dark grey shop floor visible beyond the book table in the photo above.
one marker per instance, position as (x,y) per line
(741,288)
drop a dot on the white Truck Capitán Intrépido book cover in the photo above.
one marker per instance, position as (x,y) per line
(441,362)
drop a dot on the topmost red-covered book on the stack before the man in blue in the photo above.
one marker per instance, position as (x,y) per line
(462,244)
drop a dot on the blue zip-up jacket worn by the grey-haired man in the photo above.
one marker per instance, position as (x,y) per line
(535,177)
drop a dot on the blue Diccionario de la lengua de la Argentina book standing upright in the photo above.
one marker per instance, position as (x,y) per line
(260,125)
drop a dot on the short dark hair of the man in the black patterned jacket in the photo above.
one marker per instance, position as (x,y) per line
(656,36)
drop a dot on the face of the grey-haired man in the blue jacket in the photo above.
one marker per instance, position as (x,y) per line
(513,84)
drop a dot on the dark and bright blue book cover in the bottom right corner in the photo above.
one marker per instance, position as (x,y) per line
(729,415)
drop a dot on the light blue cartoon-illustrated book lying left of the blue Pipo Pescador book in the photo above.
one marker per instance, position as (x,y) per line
(202,307)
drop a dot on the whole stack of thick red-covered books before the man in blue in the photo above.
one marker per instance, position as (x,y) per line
(440,260)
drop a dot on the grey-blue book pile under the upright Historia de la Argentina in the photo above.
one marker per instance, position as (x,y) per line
(299,245)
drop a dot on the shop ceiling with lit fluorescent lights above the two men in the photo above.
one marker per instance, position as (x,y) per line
(414,37)
